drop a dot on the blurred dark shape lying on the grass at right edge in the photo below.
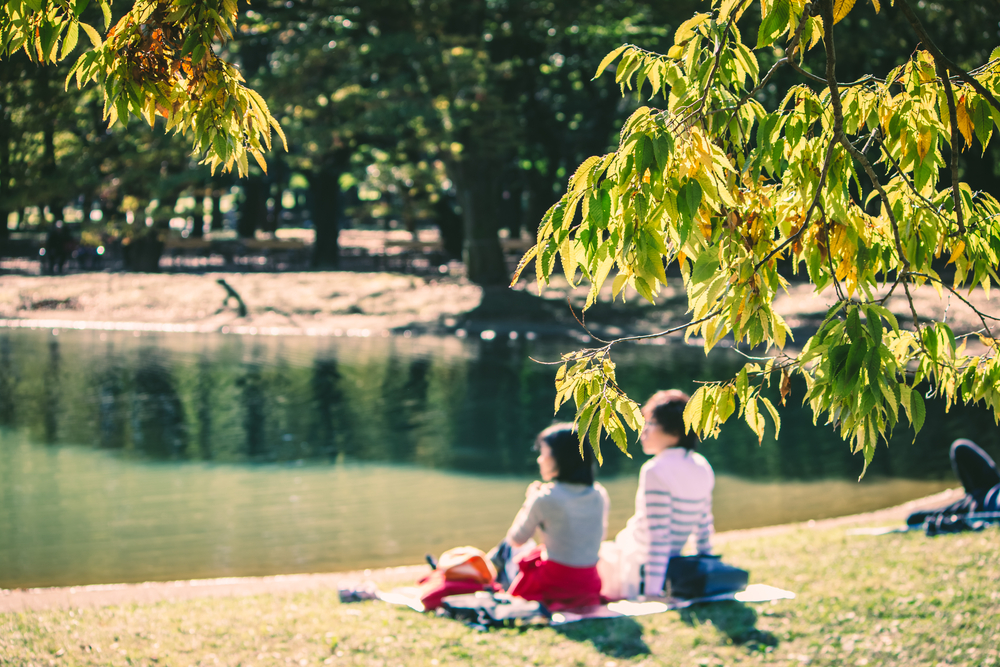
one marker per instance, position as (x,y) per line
(981,503)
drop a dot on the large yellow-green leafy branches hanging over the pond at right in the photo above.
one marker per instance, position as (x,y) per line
(854,183)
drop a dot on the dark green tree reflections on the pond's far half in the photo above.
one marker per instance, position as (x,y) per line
(475,412)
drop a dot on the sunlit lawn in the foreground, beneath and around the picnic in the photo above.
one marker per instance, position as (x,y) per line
(901,599)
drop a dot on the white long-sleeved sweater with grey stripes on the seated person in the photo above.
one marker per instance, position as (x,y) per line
(673,501)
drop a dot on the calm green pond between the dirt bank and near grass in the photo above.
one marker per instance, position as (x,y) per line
(133,456)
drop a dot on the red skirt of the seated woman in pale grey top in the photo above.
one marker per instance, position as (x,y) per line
(555,585)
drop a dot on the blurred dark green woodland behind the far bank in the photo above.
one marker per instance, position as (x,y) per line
(421,132)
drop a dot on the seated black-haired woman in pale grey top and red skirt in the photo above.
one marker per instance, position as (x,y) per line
(570,511)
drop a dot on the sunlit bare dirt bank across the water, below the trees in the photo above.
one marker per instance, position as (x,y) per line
(335,303)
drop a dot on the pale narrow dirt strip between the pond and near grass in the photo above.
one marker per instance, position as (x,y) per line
(102,595)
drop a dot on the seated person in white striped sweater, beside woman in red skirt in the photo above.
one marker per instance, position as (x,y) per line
(673,501)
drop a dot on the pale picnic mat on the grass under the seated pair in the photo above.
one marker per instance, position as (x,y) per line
(408,597)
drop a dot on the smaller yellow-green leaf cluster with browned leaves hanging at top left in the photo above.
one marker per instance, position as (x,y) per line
(159,59)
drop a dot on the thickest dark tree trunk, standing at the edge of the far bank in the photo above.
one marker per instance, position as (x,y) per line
(478,182)
